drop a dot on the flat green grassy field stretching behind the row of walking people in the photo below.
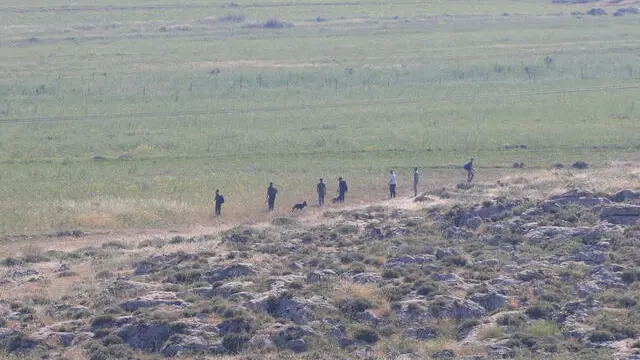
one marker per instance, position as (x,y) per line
(348,88)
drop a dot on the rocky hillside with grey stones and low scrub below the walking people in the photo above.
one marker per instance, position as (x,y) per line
(506,278)
